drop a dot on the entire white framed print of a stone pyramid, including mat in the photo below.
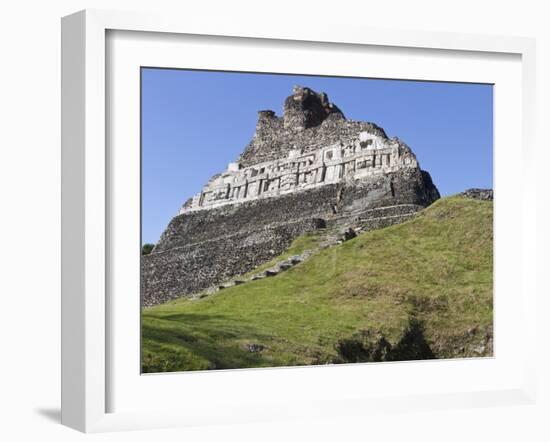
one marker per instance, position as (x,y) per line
(271,223)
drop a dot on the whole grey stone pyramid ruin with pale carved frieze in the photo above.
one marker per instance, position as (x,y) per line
(310,169)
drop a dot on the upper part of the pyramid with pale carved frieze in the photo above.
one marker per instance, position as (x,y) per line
(311,146)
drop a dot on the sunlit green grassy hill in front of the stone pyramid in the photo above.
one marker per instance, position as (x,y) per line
(421,289)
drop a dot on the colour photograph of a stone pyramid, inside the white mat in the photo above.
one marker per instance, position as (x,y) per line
(305,220)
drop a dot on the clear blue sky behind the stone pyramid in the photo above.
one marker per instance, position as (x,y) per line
(195,122)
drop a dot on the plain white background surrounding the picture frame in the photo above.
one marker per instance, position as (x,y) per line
(30,216)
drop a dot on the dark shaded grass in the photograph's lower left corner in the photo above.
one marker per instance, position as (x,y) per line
(182,342)
